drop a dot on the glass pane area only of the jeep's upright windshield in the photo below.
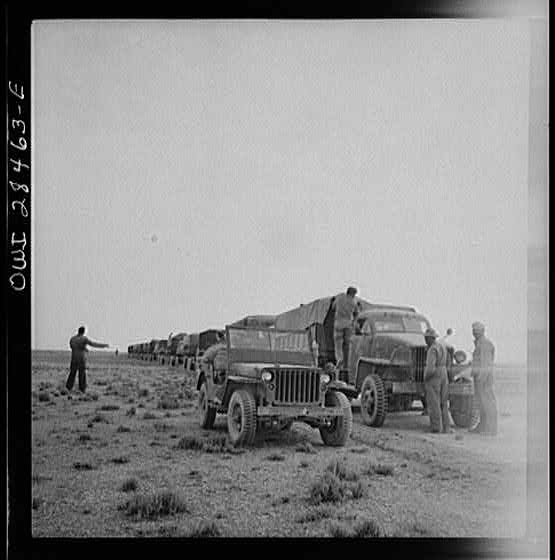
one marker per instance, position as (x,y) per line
(267,339)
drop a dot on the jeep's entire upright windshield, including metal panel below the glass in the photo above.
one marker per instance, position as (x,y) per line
(269,345)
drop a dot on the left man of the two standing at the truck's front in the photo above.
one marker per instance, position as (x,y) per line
(436,383)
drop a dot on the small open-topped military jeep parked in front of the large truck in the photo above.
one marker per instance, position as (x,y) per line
(266,378)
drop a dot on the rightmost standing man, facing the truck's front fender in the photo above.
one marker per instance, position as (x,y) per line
(482,373)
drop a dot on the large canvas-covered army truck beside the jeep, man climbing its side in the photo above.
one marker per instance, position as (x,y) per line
(386,358)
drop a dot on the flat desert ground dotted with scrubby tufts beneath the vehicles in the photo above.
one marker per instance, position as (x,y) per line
(128,458)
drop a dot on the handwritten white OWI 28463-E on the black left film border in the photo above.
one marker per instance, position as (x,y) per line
(19,186)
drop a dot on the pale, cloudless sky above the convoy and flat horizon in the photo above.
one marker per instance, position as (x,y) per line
(189,173)
